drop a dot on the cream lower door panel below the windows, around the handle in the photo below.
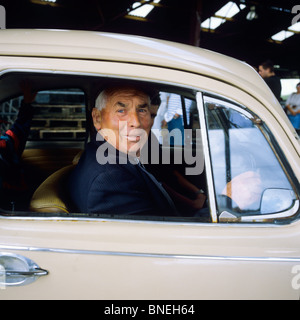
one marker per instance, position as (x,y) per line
(126,260)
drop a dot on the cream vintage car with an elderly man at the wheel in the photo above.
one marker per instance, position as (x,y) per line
(244,155)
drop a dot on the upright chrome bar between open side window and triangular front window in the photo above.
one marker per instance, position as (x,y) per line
(208,166)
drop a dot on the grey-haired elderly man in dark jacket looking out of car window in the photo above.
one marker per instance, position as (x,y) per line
(109,178)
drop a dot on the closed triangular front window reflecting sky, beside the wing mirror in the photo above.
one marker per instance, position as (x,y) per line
(249,177)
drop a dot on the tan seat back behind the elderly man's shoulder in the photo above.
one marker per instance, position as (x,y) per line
(51,194)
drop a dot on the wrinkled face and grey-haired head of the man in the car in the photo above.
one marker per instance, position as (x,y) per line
(126,121)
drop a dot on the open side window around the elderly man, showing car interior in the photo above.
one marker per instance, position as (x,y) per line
(62,117)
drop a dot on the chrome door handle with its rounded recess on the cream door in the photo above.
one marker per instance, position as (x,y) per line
(16,270)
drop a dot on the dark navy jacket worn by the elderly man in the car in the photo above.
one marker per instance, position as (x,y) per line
(122,188)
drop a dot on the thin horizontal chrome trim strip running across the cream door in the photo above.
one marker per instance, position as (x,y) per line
(149,255)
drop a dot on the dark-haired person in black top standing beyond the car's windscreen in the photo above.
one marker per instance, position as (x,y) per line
(267,72)
